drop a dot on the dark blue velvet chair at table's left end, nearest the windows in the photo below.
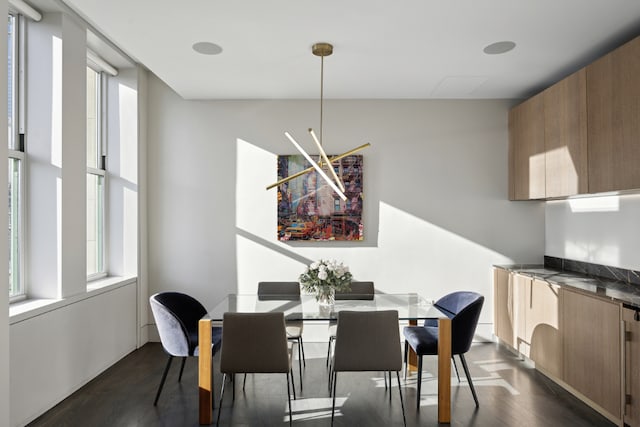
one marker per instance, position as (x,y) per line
(177,317)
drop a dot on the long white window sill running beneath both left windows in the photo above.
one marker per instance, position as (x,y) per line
(32,307)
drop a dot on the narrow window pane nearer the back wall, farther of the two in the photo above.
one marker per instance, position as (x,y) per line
(95,177)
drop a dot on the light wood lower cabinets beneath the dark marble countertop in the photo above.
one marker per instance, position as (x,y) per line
(574,338)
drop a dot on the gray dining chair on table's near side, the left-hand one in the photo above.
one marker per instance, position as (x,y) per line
(255,343)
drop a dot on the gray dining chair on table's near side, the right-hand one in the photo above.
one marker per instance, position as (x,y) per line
(367,341)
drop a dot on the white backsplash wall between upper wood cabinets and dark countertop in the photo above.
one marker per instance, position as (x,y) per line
(601,230)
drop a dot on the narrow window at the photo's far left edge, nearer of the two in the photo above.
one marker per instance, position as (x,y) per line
(16,162)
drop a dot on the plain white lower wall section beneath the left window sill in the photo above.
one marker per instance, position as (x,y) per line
(57,352)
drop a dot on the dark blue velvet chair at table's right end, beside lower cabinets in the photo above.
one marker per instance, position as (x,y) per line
(463,308)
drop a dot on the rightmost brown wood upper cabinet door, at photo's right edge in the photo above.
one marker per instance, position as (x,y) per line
(613,119)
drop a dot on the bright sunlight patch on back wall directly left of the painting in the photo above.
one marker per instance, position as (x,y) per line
(256,208)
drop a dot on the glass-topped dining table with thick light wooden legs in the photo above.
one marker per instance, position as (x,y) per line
(411,308)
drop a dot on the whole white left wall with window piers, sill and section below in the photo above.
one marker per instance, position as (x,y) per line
(68,331)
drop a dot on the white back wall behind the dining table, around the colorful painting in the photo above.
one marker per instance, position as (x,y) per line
(436,213)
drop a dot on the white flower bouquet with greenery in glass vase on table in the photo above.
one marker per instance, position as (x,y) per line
(324,277)
